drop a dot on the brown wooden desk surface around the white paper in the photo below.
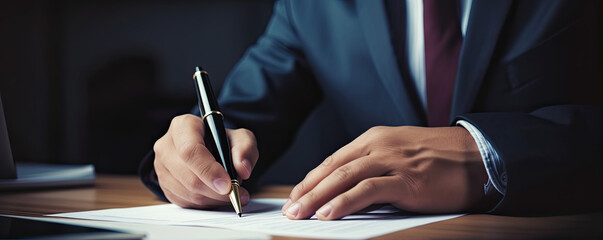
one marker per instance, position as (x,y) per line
(113,191)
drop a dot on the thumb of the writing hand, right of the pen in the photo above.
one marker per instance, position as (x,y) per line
(244,151)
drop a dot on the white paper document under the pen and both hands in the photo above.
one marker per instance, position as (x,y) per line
(264,216)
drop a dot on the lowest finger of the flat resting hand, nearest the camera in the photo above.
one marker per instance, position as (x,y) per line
(365,193)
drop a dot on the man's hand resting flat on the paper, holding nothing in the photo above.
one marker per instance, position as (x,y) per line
(428,170)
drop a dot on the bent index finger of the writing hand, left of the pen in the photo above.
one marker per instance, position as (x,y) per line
(187,132)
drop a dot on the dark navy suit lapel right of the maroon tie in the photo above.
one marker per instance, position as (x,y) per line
(485,23)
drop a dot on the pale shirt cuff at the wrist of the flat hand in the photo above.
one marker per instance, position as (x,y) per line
(495,168)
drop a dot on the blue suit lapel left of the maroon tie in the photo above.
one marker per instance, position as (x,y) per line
(373,21)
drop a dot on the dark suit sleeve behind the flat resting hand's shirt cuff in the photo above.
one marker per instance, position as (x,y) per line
(552,157)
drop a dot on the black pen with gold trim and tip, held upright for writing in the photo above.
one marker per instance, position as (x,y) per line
(215,133)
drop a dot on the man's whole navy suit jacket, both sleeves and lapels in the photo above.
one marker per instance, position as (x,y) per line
(529,79)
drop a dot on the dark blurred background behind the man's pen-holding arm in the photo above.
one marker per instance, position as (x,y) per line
(99,81)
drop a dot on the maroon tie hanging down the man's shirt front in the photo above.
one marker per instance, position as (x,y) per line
(443,42)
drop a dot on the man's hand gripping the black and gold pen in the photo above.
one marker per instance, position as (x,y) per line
(189,175)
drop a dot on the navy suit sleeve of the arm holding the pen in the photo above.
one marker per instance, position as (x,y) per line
(270,91)
